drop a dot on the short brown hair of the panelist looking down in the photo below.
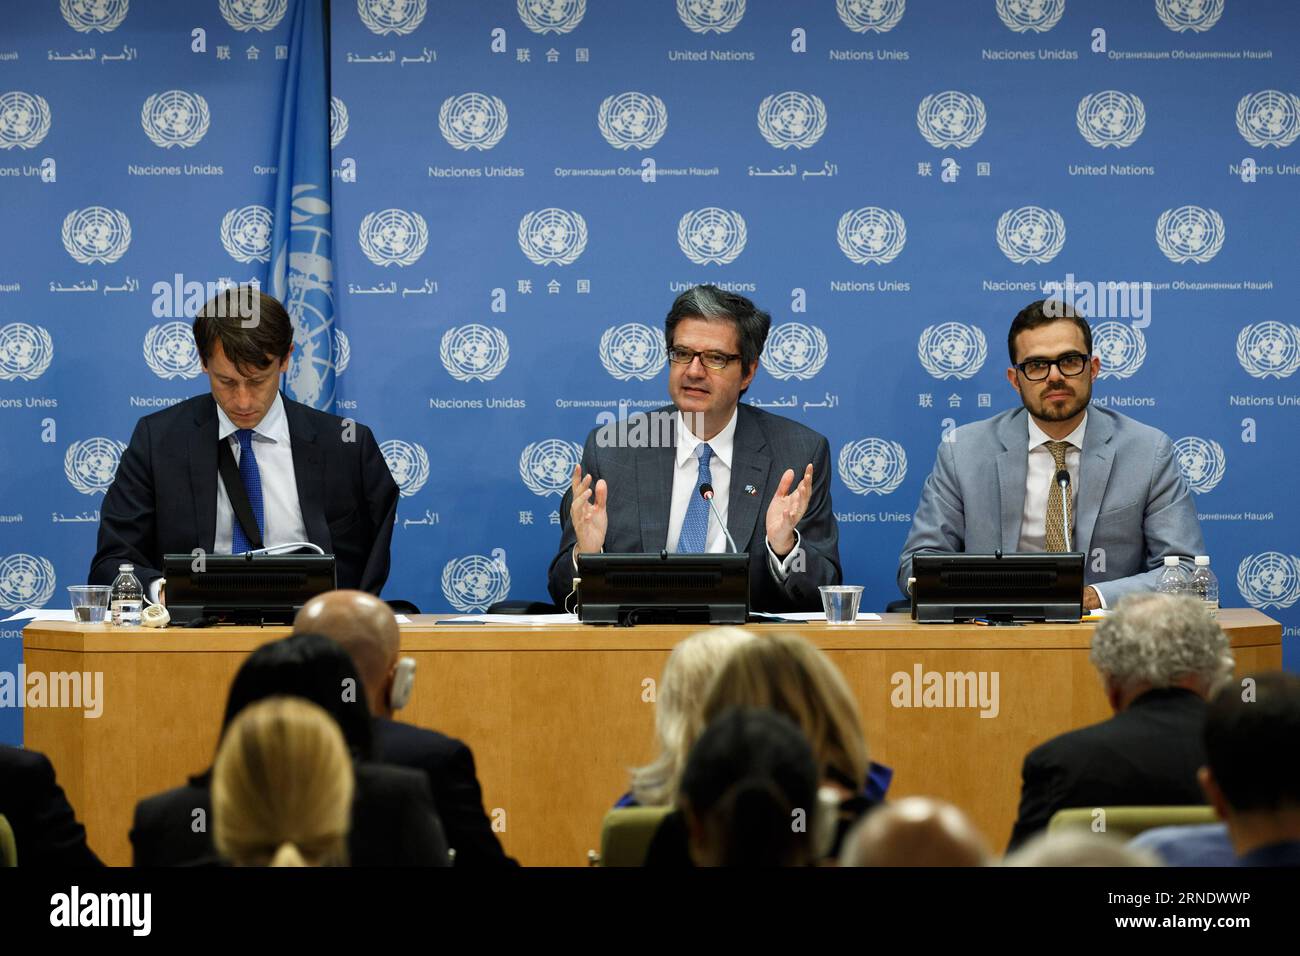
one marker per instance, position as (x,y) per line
(254,328)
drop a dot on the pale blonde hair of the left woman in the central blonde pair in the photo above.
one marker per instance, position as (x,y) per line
(679,702)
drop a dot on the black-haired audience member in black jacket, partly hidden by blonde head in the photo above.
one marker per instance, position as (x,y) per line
(395,823)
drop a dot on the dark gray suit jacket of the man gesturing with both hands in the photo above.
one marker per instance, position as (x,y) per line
(640,482)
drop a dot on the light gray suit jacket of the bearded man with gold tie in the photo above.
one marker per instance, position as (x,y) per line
(1133,504)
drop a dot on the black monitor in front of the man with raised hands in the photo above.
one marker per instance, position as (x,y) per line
(662,589)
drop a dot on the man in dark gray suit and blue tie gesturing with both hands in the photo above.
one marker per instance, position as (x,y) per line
(638,488)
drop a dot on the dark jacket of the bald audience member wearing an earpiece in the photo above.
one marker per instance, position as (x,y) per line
(449,765)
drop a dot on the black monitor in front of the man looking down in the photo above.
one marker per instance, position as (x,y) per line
(244,589)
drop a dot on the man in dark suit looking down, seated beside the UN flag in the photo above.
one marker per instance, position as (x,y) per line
(307,475)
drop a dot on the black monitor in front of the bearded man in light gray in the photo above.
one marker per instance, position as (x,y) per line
(1000,589)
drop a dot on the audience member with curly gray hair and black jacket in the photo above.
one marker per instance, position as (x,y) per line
(1159,657)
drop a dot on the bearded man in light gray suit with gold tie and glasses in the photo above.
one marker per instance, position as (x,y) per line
(994,486)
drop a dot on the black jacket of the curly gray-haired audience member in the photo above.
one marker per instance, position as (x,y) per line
(1145,756)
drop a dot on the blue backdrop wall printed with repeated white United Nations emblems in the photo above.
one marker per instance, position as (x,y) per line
(521,189)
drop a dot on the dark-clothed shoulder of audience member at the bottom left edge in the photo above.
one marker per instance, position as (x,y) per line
(45,827)
